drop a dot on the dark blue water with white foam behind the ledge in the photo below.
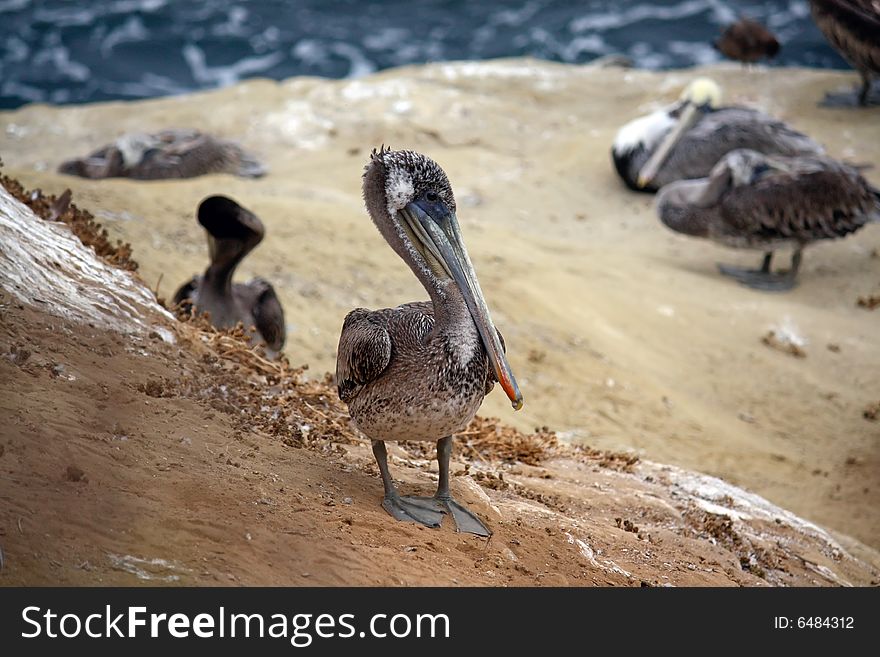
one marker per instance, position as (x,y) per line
(71,52)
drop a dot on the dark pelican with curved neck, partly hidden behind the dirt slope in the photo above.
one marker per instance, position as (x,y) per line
(233,232)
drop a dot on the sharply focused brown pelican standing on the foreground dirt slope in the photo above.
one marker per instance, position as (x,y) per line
(420,371)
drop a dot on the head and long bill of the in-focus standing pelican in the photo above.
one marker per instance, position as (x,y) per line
(410,200)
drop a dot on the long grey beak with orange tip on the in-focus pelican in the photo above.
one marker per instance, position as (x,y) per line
(436,227)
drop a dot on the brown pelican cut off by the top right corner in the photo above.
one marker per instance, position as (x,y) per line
(853,28)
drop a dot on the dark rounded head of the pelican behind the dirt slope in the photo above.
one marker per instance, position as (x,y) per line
(232,230)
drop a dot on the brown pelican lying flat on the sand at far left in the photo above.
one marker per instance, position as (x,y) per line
(167,154)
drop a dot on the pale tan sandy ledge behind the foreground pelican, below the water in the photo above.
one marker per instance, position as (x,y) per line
(622,334)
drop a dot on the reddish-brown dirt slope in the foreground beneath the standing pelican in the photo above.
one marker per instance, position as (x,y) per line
(136,449)
